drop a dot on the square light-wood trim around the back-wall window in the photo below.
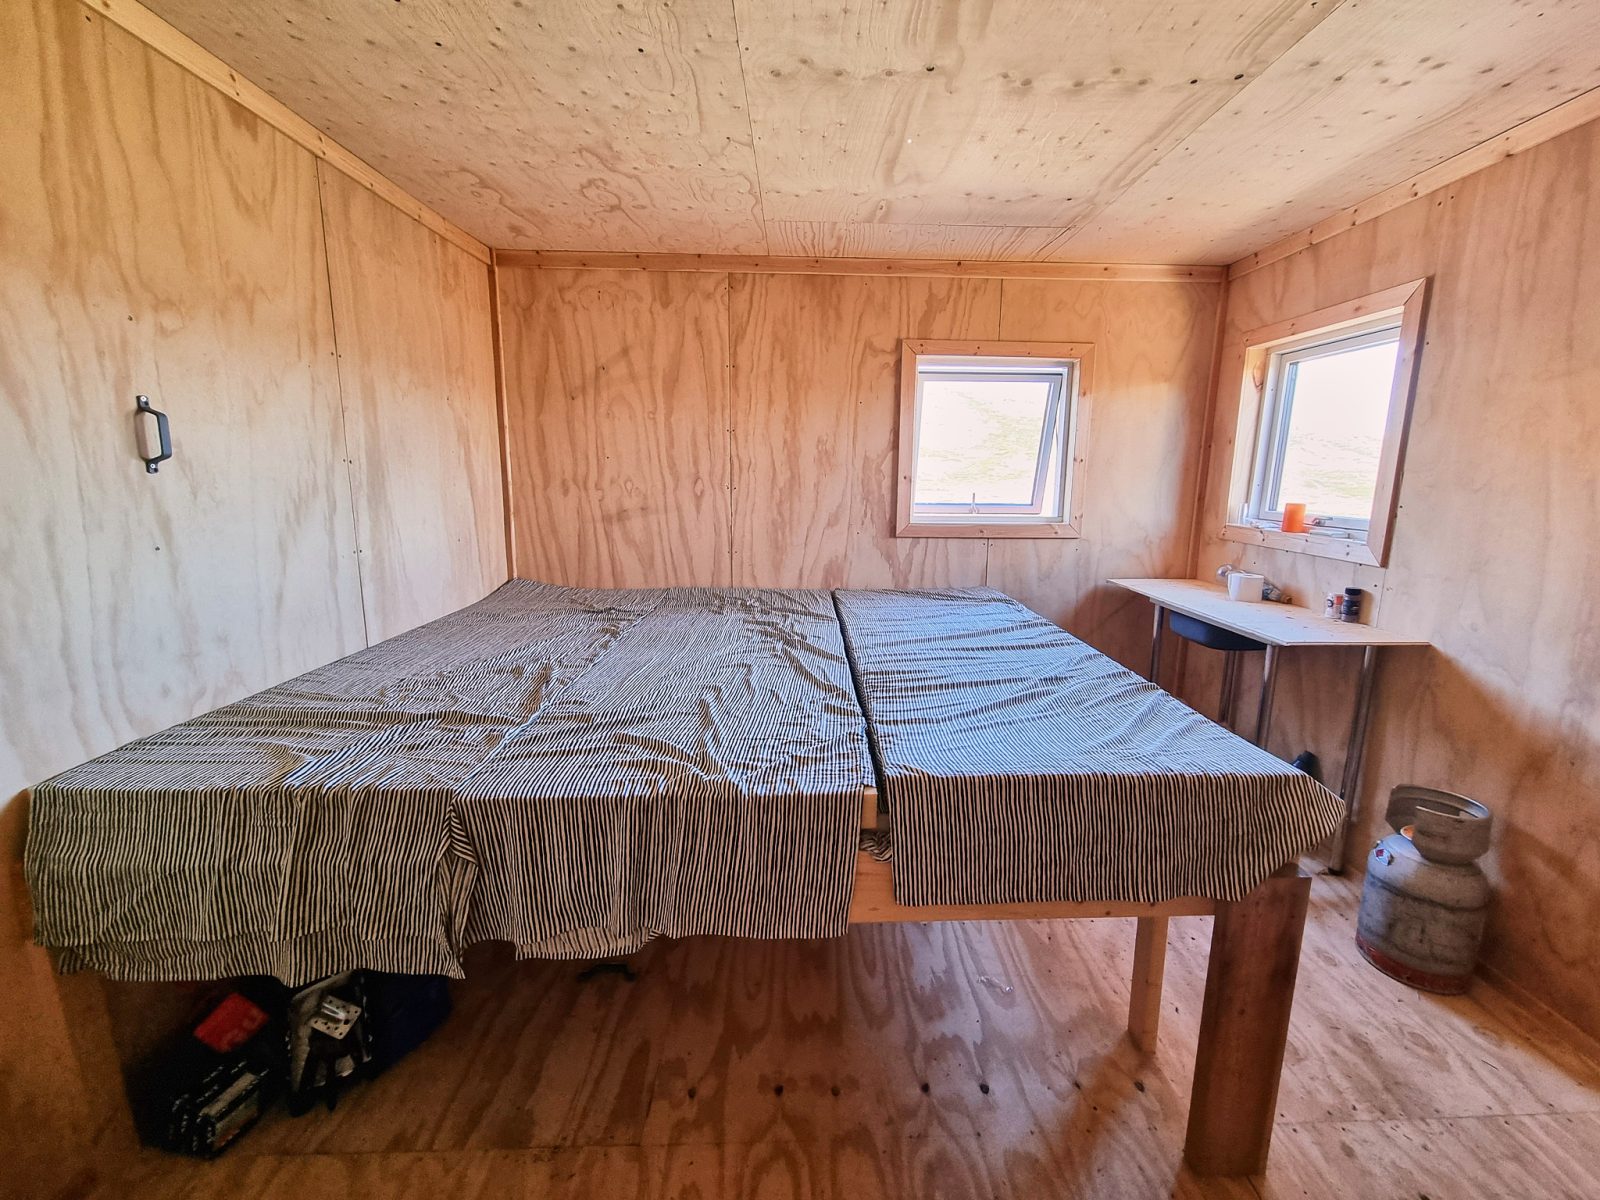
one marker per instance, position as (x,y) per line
(1071,522)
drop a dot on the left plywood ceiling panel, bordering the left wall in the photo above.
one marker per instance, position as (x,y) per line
(591,126)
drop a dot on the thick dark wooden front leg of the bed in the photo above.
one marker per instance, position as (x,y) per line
(1244,1026)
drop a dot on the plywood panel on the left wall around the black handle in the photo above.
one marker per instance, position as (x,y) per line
(158,239)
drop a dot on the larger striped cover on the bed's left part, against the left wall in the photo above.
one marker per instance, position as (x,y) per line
(569,770)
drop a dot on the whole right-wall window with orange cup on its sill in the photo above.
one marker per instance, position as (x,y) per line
(1327,399)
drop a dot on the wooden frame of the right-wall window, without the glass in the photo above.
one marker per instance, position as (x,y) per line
(1370,546)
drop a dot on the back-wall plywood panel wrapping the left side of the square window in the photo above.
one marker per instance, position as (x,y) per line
(815,428)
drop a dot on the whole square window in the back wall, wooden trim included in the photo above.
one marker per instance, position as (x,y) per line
(991,439)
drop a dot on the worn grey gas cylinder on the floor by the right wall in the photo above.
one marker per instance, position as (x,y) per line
(1426,900)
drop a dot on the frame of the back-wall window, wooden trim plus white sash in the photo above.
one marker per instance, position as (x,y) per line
(1070,412)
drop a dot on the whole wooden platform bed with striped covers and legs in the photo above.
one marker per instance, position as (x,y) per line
(577,770)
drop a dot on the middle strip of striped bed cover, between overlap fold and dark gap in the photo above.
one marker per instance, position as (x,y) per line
(703,777)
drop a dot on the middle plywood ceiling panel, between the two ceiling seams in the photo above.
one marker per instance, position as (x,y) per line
(988,114)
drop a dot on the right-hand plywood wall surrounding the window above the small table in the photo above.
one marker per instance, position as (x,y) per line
(1494,554)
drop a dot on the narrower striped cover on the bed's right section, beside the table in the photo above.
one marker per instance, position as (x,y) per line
(1022,766)
